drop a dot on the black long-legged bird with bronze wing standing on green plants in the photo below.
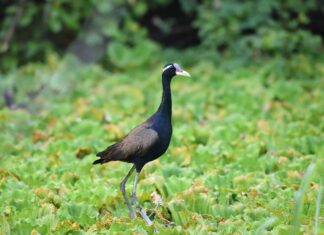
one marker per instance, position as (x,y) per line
(147,141)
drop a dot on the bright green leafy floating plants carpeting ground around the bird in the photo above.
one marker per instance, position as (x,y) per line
(242,142)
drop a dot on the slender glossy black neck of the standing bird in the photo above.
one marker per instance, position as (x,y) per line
(165,108)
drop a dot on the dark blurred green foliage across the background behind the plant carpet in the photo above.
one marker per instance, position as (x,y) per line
(235,29)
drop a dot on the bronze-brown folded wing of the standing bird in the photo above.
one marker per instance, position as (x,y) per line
(137,143)
